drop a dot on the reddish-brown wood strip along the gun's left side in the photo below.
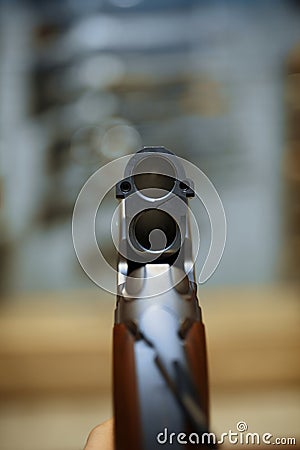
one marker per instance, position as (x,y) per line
(126,407)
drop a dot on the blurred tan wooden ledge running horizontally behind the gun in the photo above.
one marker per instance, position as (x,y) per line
(62,341)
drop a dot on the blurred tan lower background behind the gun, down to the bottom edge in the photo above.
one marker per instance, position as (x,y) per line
(55,364)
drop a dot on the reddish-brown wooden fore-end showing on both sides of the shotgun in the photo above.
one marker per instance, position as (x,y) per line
(128,432)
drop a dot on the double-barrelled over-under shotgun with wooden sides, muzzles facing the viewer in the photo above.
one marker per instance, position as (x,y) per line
(160,377)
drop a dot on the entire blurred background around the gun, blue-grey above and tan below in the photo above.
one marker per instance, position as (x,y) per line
(84,82)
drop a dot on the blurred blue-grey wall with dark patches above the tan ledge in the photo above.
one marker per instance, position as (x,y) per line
(85,82)
